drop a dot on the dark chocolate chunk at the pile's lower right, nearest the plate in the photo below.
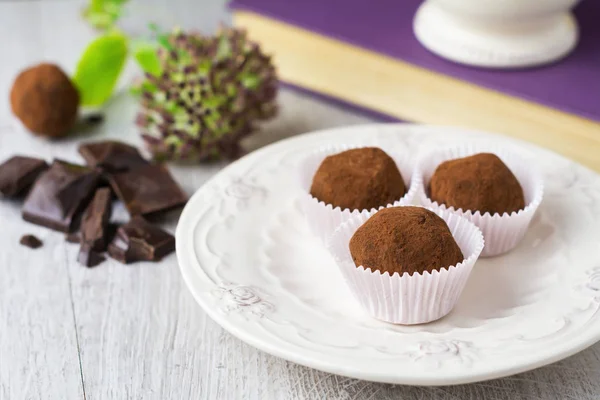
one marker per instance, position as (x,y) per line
(138,240)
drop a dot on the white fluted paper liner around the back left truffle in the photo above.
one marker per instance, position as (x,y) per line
(323,218)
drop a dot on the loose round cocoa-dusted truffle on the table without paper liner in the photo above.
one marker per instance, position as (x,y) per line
(45,100)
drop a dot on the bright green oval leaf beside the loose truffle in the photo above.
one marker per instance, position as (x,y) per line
(99,68)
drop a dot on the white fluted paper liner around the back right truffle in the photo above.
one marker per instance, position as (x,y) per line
(501,232)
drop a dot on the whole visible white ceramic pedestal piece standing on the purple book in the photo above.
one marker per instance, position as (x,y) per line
(500,34)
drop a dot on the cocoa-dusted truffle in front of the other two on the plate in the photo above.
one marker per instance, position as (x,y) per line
(404,239)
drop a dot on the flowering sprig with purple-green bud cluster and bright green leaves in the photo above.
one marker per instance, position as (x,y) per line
(200,94)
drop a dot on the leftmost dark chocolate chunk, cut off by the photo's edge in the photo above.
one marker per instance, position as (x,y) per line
(18,174)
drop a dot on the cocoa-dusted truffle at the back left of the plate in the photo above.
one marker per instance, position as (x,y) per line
(360,179)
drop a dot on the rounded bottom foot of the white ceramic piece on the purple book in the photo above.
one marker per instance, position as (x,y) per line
(488,43)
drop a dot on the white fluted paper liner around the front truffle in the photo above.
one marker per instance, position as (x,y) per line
(408,299)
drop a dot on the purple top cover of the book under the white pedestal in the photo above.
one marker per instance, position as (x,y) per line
(385,26)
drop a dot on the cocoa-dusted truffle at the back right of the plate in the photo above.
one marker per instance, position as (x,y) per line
(481,182)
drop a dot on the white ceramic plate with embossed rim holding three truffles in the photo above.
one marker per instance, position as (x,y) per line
(247,256)
